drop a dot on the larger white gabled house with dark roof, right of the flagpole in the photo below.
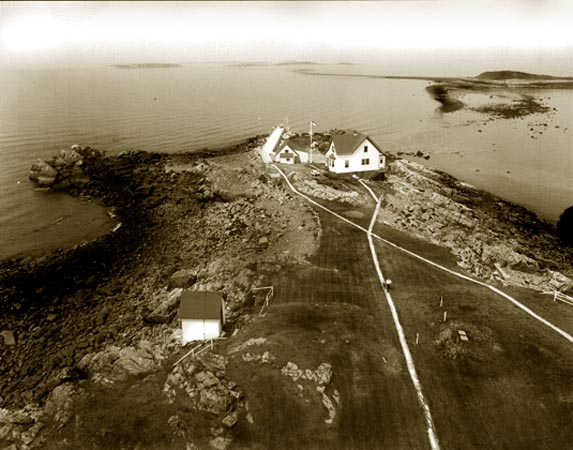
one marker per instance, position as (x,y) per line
(353,152)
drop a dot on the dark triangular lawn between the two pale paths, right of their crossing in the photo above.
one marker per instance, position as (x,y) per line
(509,387)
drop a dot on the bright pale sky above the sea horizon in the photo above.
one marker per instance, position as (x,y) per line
(531,34)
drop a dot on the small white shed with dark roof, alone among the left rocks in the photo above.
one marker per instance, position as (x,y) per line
(202,315)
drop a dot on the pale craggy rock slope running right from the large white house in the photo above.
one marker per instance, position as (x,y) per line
(492,239)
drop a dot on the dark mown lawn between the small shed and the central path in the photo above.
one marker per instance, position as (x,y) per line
(329,311)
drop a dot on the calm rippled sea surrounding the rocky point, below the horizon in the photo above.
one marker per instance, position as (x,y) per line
(199,106)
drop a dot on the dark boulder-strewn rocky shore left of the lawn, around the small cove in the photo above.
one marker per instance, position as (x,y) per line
(80,317)
